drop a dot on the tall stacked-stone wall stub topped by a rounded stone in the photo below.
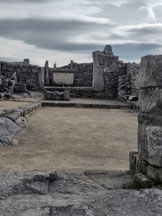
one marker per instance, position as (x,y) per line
(105,72)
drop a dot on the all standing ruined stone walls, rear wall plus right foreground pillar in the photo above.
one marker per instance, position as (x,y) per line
(109,78)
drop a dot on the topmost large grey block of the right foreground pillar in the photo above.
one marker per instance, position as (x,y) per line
(151,71)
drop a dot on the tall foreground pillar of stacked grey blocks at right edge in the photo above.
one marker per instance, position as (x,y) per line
(150,117)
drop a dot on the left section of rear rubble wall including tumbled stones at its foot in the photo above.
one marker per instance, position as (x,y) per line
(18,77)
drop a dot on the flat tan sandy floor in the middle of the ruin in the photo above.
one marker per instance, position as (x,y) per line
(73,138)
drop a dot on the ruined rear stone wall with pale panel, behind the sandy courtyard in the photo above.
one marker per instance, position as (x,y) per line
(107,77)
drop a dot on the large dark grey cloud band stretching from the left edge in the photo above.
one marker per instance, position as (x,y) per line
(52,34)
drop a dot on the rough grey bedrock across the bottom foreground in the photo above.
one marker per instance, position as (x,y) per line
(71,194)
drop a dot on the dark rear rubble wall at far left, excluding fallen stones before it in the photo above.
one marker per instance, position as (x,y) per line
(26,74)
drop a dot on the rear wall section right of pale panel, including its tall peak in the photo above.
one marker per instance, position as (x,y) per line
(114,78)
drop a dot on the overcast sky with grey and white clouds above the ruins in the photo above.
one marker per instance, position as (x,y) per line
(64,30)
